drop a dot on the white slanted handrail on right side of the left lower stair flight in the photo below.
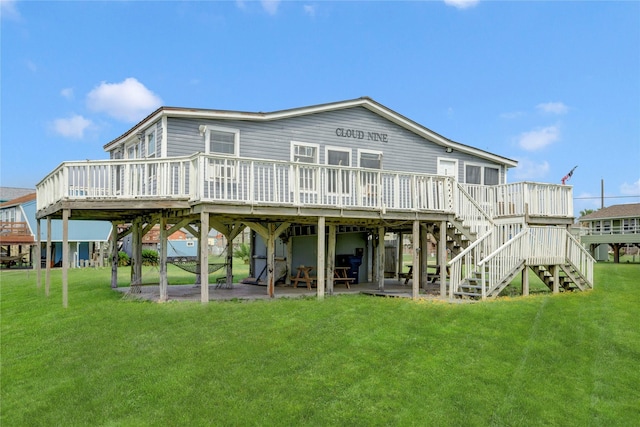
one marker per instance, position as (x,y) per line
(516,254)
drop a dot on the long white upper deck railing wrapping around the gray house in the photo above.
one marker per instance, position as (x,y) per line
(202,177)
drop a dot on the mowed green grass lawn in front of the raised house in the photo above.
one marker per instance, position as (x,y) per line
(568,359)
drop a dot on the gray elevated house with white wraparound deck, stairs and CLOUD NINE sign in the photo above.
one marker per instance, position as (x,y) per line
(322,185)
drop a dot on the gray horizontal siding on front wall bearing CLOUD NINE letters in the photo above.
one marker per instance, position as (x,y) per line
(403,151)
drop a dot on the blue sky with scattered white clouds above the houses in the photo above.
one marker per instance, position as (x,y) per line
(550,84)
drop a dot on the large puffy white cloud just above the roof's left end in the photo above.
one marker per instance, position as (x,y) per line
(128,100)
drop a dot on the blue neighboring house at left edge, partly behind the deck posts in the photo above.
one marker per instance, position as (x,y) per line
(88,240)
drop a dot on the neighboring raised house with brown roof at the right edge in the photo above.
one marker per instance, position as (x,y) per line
(616,226)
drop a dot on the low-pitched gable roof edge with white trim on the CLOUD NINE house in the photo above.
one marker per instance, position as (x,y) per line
(365,102)
